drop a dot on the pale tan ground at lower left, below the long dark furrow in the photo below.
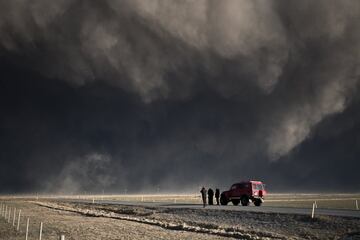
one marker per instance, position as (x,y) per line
(80,227)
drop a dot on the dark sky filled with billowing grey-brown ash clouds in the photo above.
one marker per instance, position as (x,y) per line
(172,95)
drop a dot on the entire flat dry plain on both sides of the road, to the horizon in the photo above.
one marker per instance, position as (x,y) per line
(87,217)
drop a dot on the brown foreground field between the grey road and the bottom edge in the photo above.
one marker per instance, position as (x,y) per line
(101,221)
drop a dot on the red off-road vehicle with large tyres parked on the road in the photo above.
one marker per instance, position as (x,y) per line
(244,192)
